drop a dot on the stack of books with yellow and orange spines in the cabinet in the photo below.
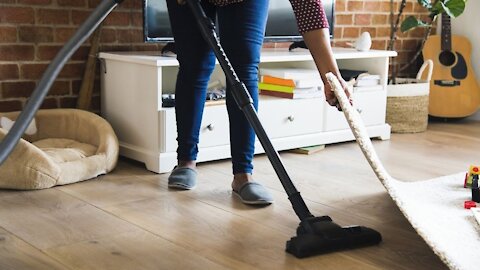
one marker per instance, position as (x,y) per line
(290,83)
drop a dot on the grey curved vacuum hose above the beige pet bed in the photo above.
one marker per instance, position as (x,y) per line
(84,31)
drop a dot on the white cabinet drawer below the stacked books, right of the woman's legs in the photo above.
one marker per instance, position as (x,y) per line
(290,117)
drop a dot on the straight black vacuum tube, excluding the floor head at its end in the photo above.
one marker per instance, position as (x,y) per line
(244,101)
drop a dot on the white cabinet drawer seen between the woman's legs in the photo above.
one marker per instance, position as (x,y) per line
(214,129)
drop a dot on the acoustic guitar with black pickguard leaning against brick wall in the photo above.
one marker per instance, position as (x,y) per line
(454,91)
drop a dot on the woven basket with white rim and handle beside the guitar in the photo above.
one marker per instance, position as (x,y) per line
(407,103)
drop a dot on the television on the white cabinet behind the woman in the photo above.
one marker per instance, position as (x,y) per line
(281,23)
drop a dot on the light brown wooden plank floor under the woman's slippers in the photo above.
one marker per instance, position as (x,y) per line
(128,219)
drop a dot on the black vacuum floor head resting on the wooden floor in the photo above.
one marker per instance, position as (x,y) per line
(319,235)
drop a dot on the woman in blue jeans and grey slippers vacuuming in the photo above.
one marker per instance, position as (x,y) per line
(241,25)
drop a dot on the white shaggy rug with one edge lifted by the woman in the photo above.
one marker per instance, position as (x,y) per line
(433,207)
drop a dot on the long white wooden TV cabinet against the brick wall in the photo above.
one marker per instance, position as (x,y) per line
(132,84)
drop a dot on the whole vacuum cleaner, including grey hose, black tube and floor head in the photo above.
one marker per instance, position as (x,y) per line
(315,235)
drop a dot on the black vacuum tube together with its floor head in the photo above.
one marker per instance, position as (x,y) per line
(315,235)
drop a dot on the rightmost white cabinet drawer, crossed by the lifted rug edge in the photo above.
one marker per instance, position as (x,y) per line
(370,104)
